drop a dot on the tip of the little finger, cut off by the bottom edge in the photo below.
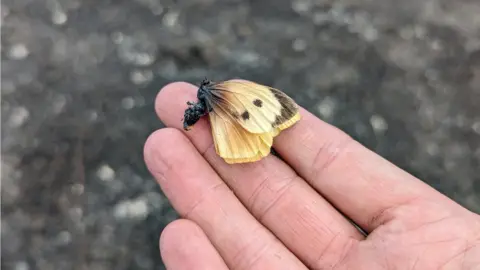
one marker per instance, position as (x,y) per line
(183,245)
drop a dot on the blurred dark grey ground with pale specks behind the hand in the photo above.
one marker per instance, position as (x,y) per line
(79,78)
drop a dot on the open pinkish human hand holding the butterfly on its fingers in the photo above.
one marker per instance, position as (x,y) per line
(291,214)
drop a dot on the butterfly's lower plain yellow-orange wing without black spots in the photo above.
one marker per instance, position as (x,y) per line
(235,144)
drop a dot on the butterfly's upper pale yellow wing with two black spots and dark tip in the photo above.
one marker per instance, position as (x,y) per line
(257,108)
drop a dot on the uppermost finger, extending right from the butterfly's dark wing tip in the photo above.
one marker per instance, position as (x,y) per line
(360,183)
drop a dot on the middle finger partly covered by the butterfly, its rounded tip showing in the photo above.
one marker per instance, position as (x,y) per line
(271,190)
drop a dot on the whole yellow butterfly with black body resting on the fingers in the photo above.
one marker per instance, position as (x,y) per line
(244,117)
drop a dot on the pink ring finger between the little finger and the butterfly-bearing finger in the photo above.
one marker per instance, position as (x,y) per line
(198,194)
